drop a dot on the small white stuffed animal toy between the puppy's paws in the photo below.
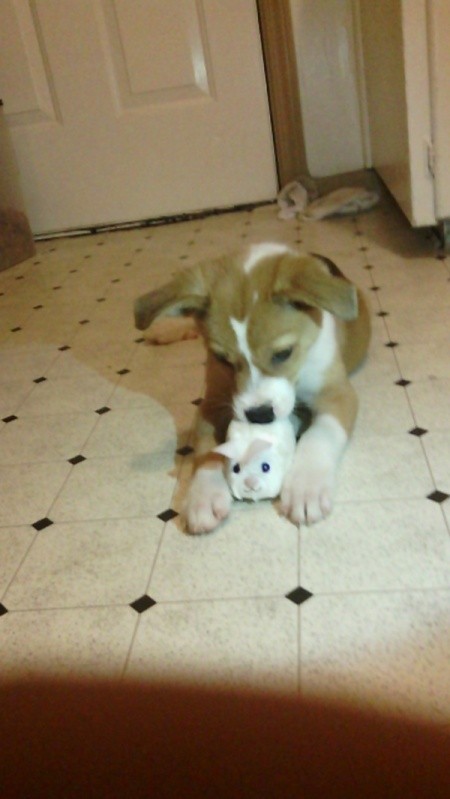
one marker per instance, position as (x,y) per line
(258,456)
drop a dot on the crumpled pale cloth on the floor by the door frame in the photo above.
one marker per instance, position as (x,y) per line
(300,199)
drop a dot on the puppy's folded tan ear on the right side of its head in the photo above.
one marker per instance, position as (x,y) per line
(308,280)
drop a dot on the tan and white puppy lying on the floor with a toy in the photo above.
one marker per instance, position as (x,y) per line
(281,329)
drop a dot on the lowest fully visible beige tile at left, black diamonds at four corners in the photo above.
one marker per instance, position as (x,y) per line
(103,562)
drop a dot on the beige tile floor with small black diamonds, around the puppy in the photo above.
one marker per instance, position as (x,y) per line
(96,576)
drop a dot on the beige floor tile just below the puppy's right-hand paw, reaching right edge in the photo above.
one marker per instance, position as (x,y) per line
(377,546)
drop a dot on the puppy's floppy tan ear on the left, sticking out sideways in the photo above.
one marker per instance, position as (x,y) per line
(187,293)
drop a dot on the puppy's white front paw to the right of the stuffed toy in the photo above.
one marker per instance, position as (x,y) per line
(307,496)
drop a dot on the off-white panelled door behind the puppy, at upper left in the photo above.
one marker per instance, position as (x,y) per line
(130,109)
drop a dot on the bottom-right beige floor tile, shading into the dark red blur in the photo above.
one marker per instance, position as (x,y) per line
(389,650)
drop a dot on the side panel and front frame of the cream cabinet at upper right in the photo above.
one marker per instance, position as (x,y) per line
(396,62)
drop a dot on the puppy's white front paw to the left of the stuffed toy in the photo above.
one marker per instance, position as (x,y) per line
(208,501)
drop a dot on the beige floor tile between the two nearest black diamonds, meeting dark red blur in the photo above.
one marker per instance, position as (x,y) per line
(245,642)
